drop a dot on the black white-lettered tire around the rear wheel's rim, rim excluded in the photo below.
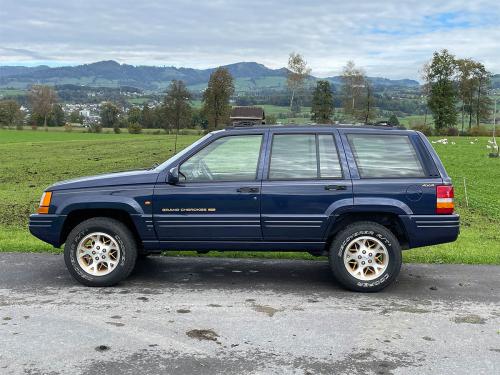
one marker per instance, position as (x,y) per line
(339,247)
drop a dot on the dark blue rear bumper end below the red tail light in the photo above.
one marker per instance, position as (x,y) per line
(425,230)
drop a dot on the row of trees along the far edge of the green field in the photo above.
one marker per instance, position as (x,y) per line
(455,90)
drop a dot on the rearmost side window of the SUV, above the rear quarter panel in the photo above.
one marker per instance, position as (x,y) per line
(385,156)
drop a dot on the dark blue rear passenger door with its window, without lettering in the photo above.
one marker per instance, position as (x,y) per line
(306,178)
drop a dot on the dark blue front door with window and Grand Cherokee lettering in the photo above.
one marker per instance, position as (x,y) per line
(218,195)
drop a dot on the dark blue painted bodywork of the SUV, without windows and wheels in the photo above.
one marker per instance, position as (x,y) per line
(293,215)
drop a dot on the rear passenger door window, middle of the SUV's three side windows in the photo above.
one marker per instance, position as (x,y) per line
(304,156)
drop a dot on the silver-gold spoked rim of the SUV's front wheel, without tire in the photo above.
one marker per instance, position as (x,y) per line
(98,254)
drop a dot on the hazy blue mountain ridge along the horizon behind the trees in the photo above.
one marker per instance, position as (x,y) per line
(248,75)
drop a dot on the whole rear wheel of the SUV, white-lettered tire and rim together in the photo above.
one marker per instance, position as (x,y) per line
(365,257)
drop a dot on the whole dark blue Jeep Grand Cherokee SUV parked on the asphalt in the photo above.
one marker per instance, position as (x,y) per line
(357,194)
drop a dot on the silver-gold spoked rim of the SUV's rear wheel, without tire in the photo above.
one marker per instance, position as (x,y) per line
(366,258)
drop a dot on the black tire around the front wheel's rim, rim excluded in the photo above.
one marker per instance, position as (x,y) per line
(123,237)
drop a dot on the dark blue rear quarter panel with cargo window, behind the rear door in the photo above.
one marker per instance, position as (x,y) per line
(393,169)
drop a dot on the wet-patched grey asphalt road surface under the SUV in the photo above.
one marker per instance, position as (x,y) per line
(209,315)
